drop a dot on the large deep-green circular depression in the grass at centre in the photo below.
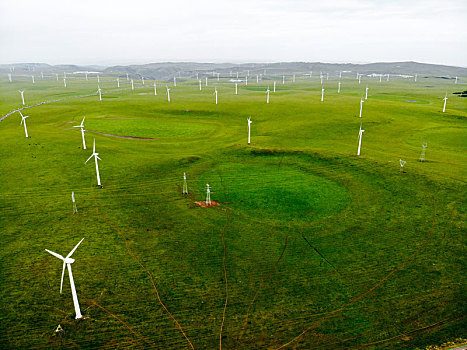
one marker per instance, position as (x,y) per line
(265,190)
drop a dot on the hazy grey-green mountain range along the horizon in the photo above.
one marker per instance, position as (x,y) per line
(167,70)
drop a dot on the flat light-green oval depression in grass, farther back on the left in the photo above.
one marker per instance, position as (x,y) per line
(140,127)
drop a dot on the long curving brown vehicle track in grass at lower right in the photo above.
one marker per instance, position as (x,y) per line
(326,315)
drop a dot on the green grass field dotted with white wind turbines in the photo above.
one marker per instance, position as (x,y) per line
(311,247)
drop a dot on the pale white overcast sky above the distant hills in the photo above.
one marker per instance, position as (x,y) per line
(142,31)
